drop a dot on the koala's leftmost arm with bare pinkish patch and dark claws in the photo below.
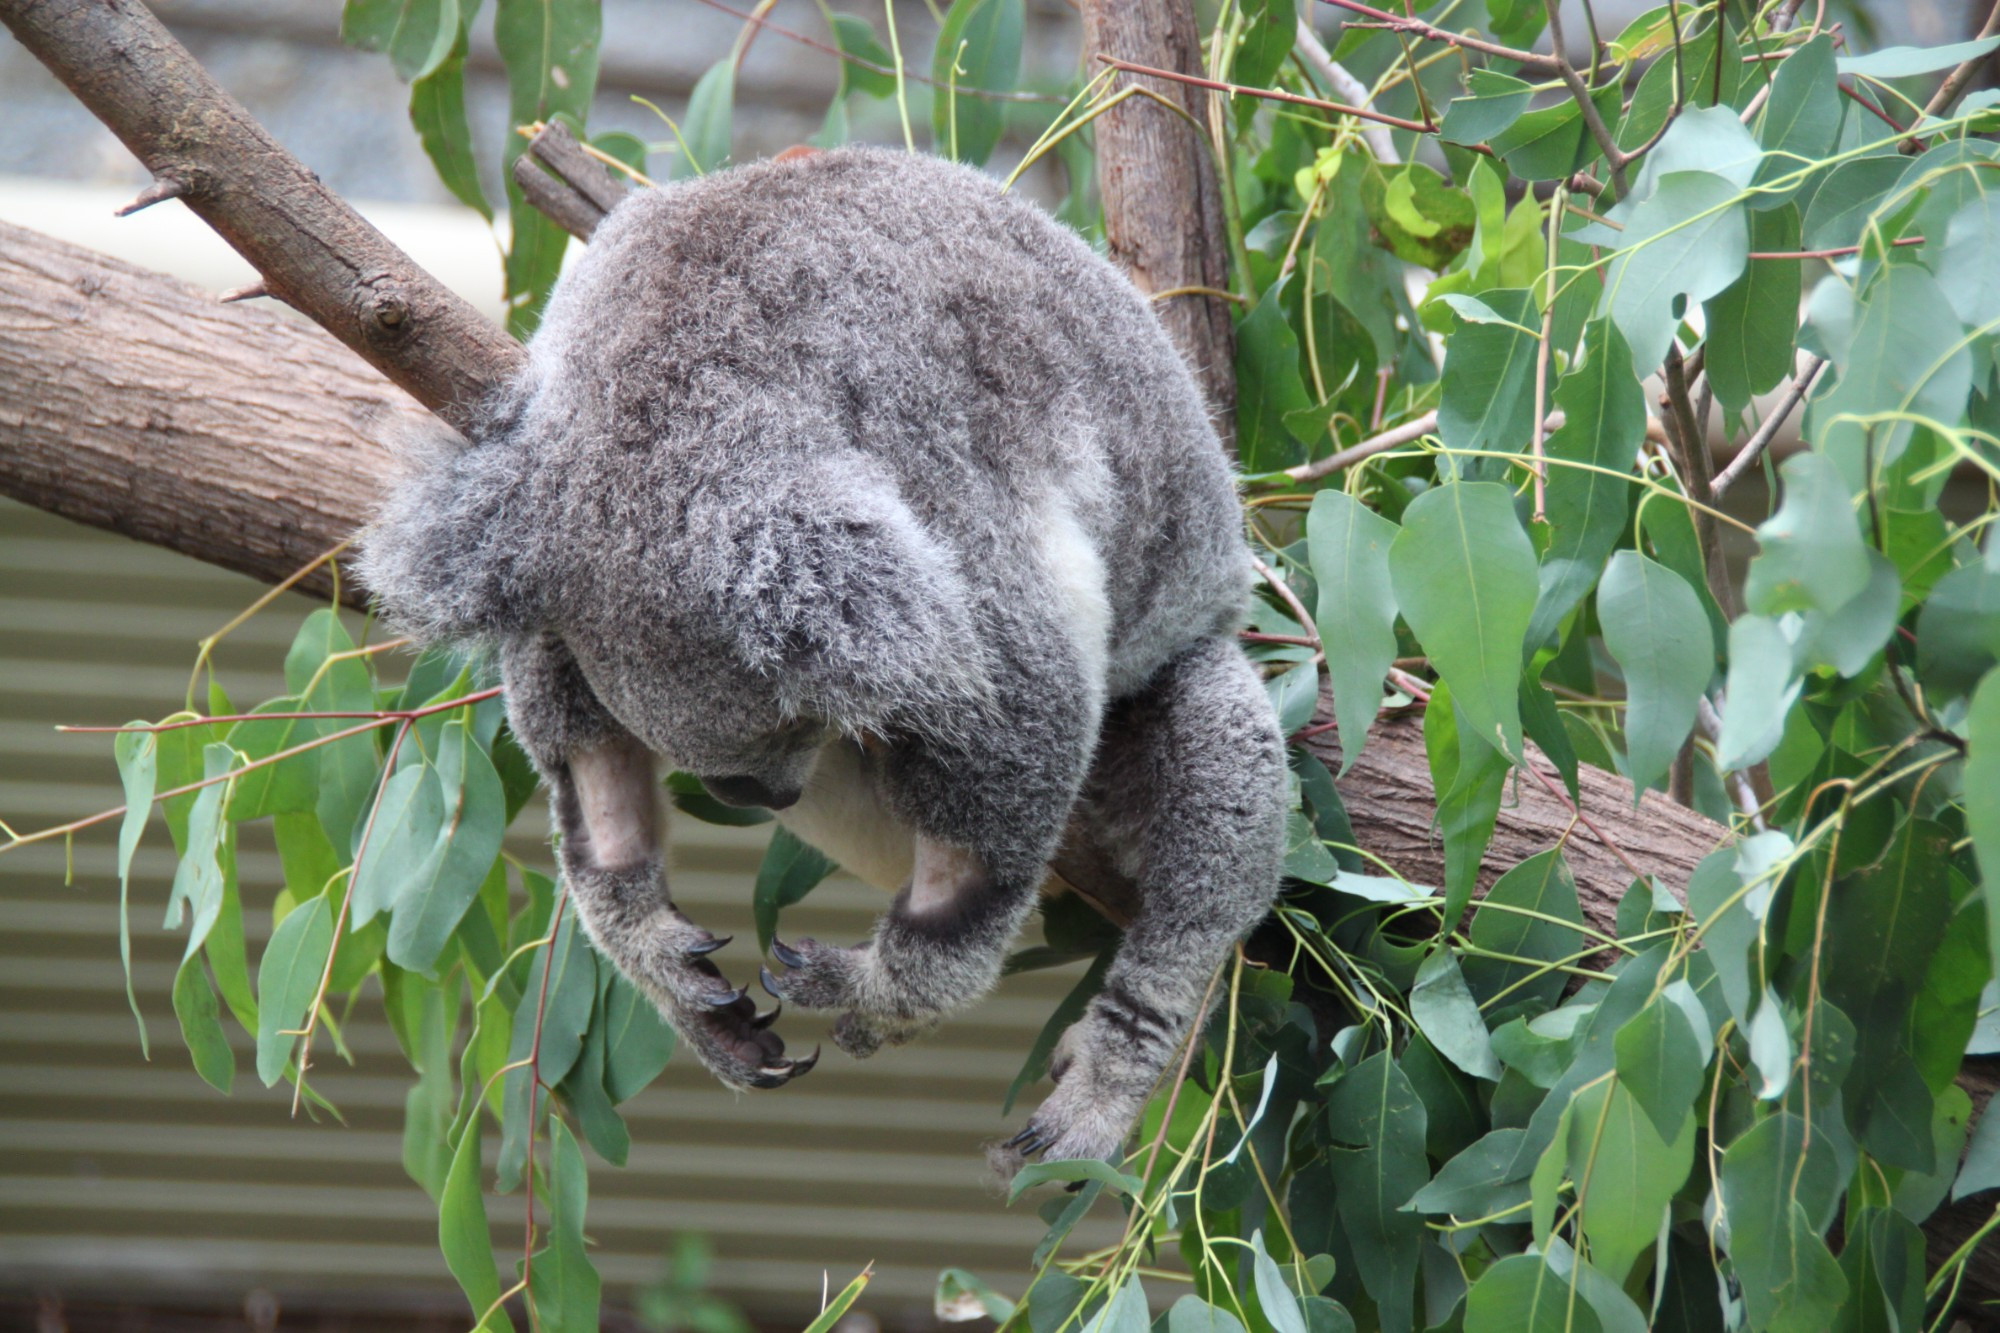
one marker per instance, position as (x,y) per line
(605,796)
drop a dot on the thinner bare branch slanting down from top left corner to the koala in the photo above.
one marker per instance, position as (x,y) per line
(313,251)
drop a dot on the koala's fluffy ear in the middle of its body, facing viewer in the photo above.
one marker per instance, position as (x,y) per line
(837,593)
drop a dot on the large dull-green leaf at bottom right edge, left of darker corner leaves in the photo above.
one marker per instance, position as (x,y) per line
(1779,1190)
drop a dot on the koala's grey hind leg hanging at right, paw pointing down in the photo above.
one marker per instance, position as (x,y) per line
(1189,798)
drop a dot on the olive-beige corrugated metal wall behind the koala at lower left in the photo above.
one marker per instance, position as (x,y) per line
(131,1178)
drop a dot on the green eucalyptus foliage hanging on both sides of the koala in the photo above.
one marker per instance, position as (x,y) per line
(1735,1104)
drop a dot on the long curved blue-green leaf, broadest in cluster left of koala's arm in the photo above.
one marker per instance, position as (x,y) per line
(473,808)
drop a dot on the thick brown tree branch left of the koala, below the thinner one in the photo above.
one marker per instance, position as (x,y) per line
(137,403)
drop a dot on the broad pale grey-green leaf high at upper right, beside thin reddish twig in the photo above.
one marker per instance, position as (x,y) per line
(1689,239)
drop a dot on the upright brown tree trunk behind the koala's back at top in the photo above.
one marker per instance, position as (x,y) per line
(1163,209)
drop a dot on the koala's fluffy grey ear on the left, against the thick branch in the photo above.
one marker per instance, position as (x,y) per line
(447,555)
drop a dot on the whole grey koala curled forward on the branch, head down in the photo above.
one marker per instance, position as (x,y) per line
(873,497)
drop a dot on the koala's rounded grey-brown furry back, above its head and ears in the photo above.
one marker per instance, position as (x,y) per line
(901,313)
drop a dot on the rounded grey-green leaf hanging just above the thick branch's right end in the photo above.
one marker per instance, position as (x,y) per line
(1657,629)
